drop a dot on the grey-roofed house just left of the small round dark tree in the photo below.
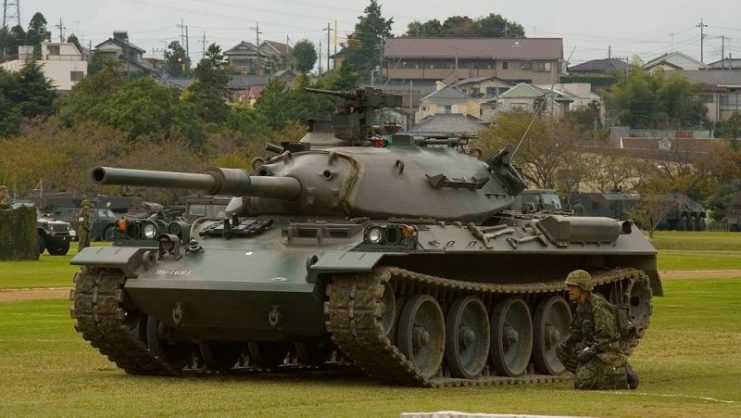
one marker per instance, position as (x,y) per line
(246,58)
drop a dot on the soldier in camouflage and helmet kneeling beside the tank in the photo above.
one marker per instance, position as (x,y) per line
(591,350)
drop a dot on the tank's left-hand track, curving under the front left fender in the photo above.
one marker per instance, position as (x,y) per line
(100,317)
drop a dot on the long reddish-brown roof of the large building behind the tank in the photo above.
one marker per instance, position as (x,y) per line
(479,48)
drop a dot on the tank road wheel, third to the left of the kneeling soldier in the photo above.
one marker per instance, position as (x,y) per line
(468,337)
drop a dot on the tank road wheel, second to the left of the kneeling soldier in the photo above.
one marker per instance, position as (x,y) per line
(512,333)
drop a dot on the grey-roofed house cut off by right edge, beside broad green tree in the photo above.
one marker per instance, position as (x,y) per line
(721,92)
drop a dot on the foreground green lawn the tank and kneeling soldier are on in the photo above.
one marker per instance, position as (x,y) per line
(689,362)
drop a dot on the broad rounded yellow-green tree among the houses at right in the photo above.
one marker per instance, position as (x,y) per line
(655,101)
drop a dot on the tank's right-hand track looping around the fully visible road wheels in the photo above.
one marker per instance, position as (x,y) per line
(354,307)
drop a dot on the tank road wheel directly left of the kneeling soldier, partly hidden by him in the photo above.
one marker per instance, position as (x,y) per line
(551,324)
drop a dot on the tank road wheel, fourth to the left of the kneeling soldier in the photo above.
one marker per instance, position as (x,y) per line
(422,334)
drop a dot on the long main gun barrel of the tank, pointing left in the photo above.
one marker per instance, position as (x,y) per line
(215,181)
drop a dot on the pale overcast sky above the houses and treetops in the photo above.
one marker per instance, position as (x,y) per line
(646,28)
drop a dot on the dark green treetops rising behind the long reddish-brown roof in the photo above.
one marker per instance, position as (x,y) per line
(493,25)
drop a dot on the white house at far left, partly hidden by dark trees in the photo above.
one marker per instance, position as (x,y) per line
(61,62)
